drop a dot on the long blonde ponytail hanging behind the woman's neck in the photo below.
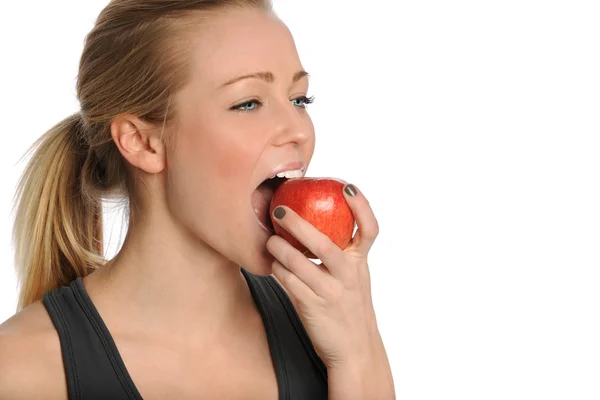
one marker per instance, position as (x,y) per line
(57,233)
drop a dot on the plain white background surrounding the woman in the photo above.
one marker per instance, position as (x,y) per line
(473,127)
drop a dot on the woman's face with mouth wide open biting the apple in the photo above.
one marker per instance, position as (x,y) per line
(233,133)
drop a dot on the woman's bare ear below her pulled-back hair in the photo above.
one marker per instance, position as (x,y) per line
(139,142)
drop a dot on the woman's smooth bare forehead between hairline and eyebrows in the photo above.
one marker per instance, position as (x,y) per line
(236,42)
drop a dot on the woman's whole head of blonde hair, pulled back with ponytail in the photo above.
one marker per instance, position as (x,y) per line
(135,59)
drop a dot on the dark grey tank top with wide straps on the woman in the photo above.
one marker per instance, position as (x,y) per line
(95,369)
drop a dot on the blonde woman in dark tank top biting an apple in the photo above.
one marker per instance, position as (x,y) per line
(187,107)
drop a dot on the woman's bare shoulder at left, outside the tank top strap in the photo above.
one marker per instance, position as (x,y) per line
(30,356)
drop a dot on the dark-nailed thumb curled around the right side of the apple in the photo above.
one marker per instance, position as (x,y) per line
(368,228)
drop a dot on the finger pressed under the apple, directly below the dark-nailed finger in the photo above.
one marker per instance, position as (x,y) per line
(310,274)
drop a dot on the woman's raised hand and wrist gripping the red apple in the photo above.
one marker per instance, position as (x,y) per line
(333,299)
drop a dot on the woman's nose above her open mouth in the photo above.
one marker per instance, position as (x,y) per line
(291,125)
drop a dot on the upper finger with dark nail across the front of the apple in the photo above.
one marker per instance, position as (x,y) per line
(315,241)
